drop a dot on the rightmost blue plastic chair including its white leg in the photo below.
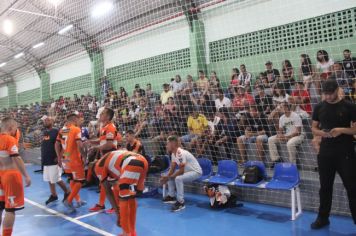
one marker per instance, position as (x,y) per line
(286,177)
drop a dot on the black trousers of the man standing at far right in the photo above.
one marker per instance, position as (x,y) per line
(330,164)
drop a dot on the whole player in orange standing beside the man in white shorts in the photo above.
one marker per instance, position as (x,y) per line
(71,149)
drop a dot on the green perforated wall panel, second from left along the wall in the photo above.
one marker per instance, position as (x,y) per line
(79,85)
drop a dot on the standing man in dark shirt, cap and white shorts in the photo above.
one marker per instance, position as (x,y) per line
(51,170)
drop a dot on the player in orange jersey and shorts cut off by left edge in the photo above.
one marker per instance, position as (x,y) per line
(11,169)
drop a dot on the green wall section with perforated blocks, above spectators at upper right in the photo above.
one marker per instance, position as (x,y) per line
(332,32)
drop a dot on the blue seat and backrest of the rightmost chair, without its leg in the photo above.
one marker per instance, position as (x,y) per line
(286,177)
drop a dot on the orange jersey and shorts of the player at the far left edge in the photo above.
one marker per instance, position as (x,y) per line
(11,186)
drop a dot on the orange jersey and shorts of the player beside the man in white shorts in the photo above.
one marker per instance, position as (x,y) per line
(73,163)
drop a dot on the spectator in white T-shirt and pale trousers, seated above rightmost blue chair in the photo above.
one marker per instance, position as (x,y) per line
(290,131)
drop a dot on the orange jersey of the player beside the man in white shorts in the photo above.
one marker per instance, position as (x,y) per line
(68,137)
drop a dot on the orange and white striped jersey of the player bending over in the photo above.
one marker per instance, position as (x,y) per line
(128,168)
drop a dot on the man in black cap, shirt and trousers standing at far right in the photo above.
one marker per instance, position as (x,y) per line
(332,121)
